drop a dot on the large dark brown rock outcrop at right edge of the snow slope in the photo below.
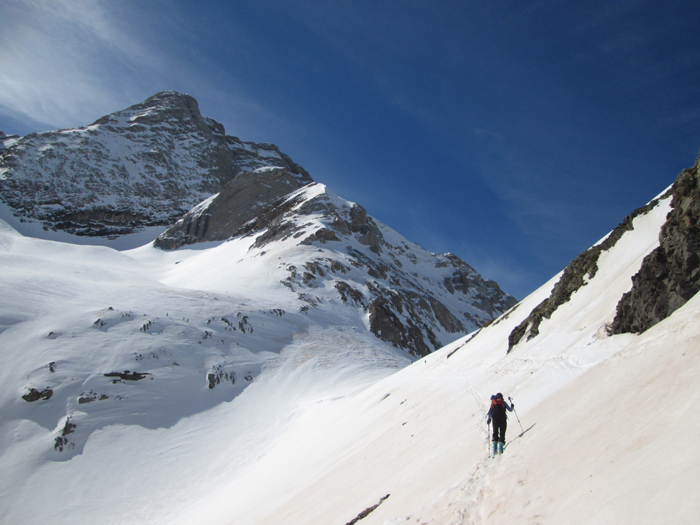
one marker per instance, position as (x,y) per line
(670,275)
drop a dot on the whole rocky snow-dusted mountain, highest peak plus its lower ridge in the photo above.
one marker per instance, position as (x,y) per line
(145,166)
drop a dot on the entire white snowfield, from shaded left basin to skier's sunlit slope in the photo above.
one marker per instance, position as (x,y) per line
(331,422)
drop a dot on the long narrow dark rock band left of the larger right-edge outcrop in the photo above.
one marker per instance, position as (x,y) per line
(574,277)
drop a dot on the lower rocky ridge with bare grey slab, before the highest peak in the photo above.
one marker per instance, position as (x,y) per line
(414,299)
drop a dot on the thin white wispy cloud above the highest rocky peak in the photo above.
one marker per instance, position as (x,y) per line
(64,62)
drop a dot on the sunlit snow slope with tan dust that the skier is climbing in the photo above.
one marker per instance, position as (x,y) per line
(599,438)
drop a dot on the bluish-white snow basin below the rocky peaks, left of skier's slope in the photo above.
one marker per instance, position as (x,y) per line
(71,314)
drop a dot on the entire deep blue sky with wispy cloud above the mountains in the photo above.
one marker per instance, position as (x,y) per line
(514,134)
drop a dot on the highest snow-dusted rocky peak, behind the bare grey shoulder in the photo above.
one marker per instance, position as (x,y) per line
(142,166)
